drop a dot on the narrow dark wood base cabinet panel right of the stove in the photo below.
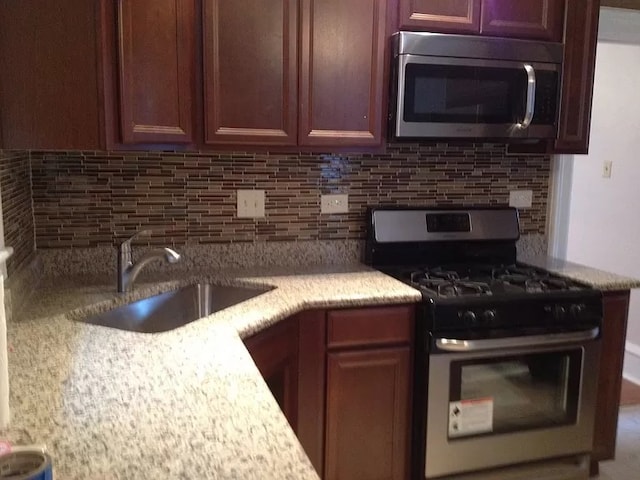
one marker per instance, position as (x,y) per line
(614,328)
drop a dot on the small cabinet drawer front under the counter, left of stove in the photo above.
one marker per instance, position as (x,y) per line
(370,326)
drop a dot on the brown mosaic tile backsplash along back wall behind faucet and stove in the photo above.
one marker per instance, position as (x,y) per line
(86,199)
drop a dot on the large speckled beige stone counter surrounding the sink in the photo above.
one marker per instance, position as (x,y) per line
(188,403)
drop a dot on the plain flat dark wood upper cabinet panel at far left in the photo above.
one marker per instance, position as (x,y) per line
(48,75)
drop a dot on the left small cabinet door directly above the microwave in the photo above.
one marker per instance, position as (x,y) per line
(456,16)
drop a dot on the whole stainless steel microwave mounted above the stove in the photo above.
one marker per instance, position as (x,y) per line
(480,87)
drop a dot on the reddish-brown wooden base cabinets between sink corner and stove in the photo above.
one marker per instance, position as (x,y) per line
(343,380)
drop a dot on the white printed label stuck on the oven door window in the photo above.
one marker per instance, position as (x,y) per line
(470,417)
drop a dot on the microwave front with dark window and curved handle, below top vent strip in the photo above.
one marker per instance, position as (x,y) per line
(462,97)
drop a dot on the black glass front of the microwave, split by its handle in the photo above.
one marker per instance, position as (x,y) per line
(473,94)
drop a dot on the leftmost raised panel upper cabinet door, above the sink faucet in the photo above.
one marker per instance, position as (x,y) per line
(156,65)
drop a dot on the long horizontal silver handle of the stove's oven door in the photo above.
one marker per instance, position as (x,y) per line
(454,345)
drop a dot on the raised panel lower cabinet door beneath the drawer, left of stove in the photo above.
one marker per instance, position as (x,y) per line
(368,414)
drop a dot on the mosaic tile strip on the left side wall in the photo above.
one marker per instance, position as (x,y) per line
(17,208)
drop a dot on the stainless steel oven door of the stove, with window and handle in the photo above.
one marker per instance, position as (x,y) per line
(507,401)
